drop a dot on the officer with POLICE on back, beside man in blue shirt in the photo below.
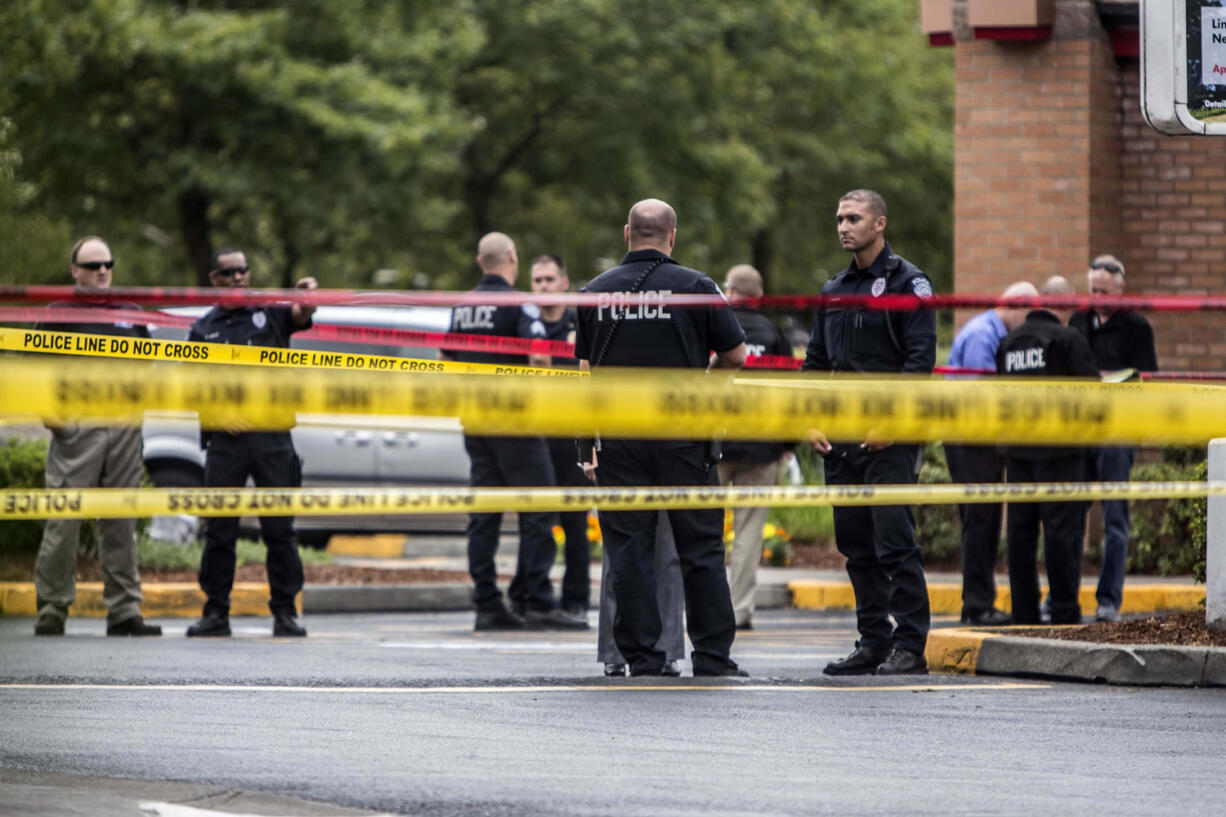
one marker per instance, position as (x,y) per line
(1044,347)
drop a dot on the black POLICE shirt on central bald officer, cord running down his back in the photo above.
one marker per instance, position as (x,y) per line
(653,333)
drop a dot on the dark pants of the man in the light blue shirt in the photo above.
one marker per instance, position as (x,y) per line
(981,524)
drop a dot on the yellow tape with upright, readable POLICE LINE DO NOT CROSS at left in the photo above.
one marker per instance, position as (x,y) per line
(32,340)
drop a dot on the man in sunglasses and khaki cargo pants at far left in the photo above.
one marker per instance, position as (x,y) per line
(83,456)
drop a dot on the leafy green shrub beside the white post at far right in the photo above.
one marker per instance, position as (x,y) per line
(1168,537)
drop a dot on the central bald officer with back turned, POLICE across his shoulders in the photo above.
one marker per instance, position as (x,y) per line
(652,334)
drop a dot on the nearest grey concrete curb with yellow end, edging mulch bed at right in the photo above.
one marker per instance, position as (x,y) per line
(972,652)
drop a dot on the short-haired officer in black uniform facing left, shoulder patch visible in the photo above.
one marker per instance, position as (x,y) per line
(883,559)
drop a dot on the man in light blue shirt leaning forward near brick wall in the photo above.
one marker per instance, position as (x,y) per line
(975,348)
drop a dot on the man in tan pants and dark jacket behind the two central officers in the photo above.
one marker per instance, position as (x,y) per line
(751,463)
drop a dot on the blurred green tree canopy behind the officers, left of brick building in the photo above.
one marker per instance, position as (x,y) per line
(371,143)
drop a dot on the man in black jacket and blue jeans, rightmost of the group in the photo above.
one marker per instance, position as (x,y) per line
(1121,339)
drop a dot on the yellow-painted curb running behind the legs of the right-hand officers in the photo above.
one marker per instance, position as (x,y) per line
(947,598)
